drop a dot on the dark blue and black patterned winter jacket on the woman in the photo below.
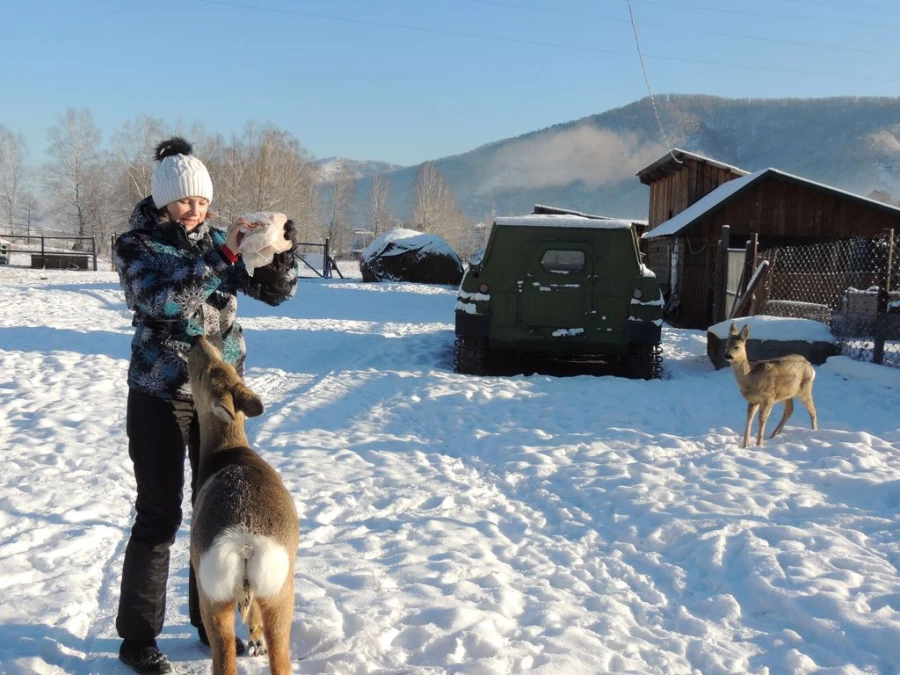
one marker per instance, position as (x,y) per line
(179,286)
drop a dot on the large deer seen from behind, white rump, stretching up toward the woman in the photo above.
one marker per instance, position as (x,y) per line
(245,530)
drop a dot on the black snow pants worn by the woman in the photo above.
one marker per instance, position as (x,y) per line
(158,431)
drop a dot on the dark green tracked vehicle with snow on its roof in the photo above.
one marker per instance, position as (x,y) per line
(560,282)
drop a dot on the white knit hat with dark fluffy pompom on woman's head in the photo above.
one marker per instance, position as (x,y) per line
(179,174)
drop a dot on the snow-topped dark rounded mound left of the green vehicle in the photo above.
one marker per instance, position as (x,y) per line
(407,255)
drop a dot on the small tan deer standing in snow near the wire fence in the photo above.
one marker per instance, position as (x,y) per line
(765,383)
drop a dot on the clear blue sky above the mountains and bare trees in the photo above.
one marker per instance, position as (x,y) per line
(406,81)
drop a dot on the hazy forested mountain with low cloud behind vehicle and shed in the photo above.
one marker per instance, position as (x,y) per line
(590,164)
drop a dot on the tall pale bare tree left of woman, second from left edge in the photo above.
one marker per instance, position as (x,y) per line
(74,143)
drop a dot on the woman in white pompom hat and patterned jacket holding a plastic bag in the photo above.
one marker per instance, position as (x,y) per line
(180,279)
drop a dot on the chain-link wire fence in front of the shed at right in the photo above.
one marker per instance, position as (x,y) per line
(852,285)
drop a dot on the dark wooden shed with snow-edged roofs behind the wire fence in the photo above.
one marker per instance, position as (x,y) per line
(692,197)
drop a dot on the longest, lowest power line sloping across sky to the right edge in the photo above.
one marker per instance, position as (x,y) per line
(552,45)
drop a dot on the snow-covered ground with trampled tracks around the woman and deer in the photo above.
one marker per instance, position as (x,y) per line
(453,524)
